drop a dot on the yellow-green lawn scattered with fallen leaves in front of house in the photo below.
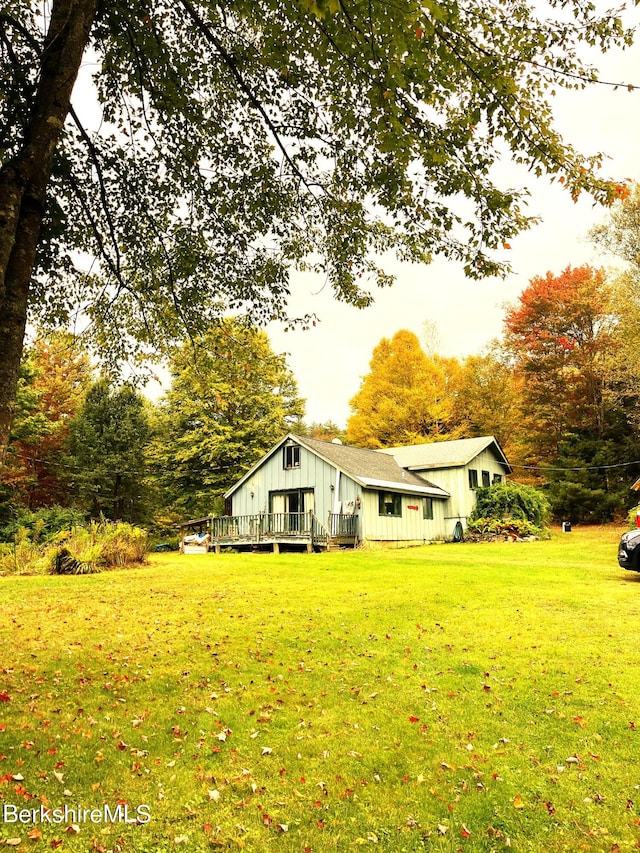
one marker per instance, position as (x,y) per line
(451,697)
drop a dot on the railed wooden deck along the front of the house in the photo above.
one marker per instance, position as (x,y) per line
(268,530)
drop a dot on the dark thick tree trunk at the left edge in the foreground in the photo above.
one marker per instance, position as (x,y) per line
(23,187)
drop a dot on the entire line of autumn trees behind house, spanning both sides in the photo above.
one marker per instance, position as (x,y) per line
(560,390)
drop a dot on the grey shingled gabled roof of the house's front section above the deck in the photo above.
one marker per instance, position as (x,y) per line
(368,468)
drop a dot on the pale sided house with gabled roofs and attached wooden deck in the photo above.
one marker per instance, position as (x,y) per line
(316,494)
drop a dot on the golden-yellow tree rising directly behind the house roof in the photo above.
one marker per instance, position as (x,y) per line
(406,398)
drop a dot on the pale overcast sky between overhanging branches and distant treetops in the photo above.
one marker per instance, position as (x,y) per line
(330,360)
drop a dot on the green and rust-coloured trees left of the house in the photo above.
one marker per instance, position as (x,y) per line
(81,441)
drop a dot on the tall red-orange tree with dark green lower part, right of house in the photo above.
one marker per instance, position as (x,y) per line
(562,337)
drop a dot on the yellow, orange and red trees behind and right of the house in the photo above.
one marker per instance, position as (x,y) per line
(560,389)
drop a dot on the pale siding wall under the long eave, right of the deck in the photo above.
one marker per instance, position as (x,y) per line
(410,527)
